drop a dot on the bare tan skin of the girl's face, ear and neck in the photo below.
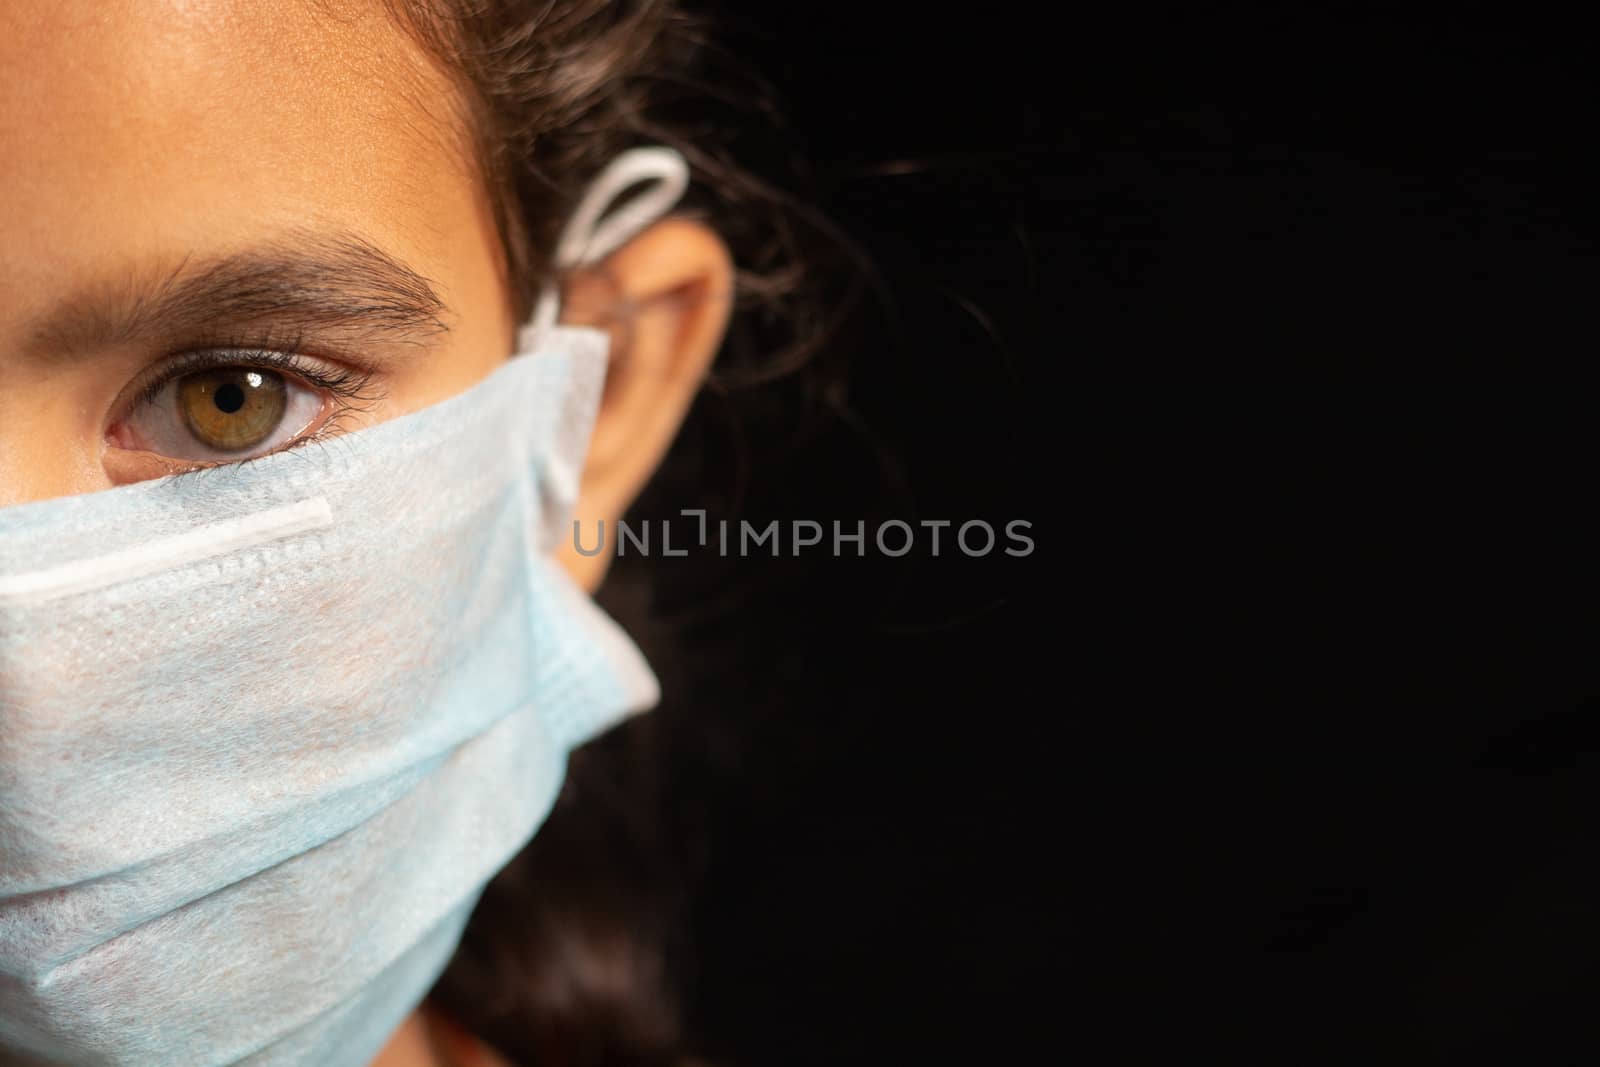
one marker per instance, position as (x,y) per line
(143,143)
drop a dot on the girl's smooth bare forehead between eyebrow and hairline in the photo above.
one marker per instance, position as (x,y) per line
(148,130)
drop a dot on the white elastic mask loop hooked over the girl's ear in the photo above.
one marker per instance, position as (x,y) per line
(593,234)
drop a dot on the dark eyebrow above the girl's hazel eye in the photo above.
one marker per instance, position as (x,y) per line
(337,286)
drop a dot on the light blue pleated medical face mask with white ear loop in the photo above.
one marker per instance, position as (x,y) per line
(268,730)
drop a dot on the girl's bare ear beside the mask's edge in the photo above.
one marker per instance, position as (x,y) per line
(665,298)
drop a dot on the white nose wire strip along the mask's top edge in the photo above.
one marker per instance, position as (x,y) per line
(154,557)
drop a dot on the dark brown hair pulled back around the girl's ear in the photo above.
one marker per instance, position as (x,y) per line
(577,953)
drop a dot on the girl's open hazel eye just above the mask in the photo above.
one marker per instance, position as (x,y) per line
(226,406)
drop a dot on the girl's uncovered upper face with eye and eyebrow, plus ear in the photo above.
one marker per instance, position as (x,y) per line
(236,228)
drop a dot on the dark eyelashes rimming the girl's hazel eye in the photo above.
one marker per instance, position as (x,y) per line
(351,388)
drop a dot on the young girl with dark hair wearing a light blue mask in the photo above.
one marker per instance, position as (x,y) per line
(305,314)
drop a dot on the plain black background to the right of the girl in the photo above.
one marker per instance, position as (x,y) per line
(1271,327)
